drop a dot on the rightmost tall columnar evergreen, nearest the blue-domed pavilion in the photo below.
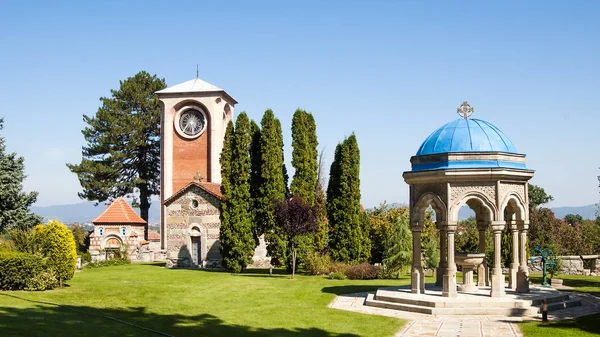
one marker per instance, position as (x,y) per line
(348,240)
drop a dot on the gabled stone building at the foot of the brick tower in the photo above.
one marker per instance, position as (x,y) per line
(192,226)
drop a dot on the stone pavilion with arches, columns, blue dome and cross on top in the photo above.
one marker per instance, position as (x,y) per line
(470,162)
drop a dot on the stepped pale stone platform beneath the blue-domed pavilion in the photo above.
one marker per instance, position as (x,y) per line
(478,302)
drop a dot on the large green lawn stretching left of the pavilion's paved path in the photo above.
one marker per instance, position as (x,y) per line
(191,303)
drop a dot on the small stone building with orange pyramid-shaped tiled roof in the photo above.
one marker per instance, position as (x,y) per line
(118,228)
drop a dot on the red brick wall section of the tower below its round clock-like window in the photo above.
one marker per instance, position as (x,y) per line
(190,157)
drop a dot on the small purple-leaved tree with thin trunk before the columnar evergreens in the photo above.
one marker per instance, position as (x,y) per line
(295,217)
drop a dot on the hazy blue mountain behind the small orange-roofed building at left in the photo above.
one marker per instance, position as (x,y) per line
(86,212)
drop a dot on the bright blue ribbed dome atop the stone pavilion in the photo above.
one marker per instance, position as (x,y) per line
(466,135)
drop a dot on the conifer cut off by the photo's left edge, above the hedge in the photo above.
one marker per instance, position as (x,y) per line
(14,202)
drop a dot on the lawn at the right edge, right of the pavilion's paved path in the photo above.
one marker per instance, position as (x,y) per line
(581,327)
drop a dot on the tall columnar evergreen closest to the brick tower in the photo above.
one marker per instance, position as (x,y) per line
(237,241)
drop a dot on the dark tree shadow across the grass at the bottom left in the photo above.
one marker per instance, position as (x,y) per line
(43,319)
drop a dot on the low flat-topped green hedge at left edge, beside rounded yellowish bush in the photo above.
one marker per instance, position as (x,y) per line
(17,269)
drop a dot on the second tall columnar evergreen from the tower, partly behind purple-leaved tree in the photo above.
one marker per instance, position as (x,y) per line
(273,187)
